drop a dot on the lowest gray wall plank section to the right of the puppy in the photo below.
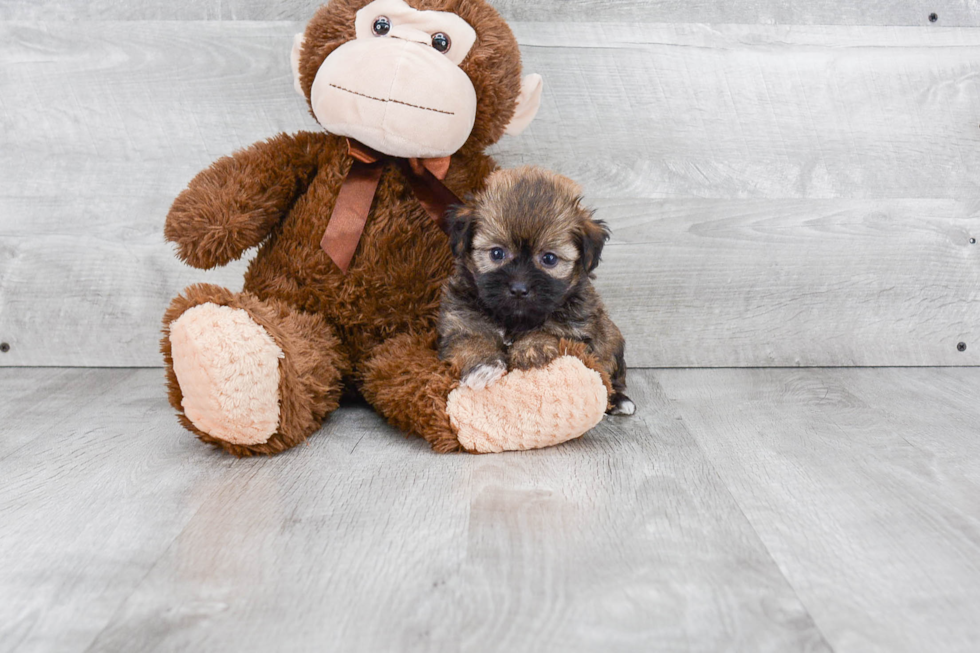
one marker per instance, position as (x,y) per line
(746,283)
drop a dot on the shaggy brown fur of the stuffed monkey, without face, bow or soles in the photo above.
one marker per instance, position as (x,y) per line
(373,328)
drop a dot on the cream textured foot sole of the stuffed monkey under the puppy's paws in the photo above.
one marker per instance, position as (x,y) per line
(529,409)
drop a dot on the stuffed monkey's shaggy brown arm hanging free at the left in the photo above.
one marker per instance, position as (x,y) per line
(234,204)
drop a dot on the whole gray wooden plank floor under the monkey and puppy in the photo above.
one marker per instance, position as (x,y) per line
(756,510)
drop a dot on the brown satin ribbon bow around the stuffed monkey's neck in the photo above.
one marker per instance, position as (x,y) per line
(354,201)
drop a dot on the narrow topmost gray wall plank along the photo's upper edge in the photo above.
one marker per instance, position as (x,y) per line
(953,13)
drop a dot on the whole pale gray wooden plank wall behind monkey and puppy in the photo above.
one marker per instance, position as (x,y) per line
(788,183)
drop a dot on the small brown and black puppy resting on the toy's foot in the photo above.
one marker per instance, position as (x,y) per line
(525,251)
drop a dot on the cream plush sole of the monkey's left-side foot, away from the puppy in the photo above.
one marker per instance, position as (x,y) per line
(228,370)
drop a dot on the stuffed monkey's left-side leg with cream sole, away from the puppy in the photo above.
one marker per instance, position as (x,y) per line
(247,375)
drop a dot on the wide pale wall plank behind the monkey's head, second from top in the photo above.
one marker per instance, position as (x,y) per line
(631,111)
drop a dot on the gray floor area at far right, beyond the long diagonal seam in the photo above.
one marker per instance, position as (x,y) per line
(862,484)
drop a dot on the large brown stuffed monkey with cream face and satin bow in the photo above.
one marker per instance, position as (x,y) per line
(343,292)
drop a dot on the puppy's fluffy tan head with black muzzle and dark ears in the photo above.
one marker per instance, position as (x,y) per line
(527,243)
